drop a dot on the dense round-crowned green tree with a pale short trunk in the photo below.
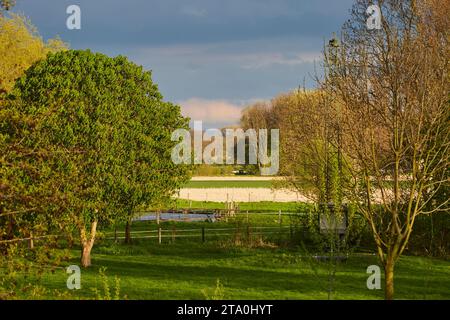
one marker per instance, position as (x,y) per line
(104,134)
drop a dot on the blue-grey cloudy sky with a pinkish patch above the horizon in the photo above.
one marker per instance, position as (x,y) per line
(212,57)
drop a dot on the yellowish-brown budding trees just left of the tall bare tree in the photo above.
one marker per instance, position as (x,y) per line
(312,161)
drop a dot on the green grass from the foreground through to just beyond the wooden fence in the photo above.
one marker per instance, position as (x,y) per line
(187,268)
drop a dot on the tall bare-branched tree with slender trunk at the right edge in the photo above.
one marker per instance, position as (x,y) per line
(391,86)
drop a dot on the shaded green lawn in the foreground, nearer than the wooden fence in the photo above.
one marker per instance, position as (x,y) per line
(189,270)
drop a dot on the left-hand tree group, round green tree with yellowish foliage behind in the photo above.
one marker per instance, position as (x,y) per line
(85,139)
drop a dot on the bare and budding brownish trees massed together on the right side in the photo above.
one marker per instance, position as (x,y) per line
(375,132)
